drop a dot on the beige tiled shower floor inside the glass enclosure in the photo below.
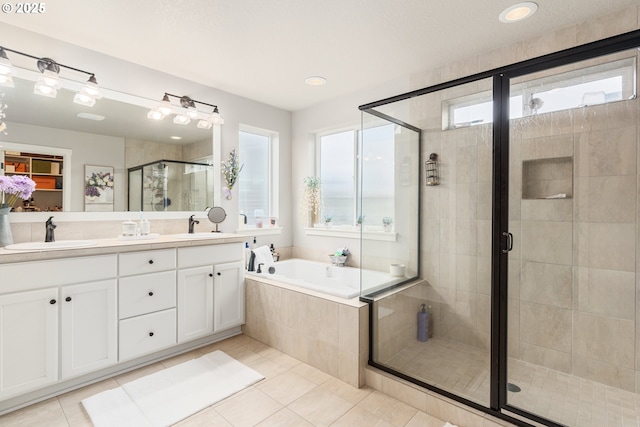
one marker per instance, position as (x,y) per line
(561,397)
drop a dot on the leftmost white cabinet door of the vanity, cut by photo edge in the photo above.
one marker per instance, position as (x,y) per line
(28,341)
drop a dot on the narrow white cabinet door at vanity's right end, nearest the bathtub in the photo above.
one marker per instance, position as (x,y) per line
(228,295)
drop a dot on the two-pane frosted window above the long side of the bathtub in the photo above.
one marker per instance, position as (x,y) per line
(338,174)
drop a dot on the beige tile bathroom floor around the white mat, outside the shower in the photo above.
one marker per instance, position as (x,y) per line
(292,394)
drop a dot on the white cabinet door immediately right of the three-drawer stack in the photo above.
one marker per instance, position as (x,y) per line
(195,302)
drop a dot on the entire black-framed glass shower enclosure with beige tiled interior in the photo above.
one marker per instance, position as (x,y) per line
(525,304)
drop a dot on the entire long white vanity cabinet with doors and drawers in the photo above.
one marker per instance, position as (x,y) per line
(68,321)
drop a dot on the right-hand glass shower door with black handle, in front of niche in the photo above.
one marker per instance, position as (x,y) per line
(573,188)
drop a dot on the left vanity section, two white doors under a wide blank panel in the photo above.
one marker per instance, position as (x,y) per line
(40,330)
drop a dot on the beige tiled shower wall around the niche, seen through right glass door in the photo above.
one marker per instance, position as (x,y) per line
(573,281)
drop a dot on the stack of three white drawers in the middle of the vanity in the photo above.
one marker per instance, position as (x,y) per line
(147,301)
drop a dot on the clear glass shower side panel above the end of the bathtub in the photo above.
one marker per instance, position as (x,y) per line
(388,205)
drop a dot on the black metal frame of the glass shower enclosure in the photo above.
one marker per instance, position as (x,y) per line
(500,220)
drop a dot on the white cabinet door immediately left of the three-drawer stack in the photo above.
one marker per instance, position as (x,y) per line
(89,327)
